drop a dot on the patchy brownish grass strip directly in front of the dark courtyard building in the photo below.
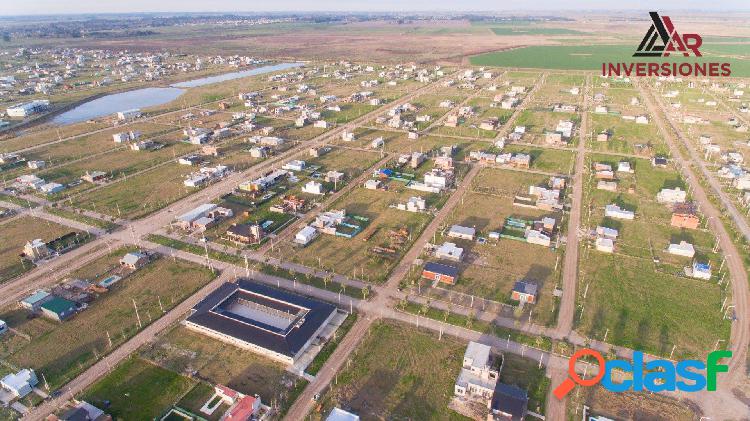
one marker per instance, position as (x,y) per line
(183,351)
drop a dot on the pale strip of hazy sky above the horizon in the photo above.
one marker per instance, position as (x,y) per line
(36,7)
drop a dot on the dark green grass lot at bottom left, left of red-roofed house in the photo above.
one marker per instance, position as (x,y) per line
(138,390)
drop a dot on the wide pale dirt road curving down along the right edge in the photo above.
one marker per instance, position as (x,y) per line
(721,404)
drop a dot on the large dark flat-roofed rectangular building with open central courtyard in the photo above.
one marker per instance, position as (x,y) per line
(271,322)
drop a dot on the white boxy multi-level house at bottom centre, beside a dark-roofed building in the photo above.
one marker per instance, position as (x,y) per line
(478,376)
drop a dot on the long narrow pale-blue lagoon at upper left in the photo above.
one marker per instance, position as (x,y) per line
(151,97)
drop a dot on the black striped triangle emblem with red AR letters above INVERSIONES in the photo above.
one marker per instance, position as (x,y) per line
(670,41)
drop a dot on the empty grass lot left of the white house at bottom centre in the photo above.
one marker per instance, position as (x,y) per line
(398,372)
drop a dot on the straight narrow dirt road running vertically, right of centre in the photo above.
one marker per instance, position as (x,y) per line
(570,263)
